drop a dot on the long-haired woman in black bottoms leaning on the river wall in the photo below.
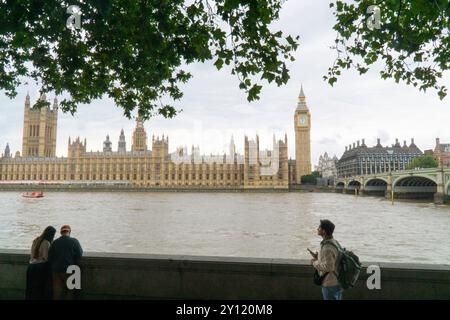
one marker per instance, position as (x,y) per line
(38,272)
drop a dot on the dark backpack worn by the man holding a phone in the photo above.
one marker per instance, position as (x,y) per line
(348,265)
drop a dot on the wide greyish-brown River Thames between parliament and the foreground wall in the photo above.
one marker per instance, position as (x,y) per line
(270,225)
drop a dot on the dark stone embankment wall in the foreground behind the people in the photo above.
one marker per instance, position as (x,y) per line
(143,276)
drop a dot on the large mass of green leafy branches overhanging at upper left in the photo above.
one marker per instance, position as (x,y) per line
(134,51)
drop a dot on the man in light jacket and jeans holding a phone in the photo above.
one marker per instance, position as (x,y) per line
(325,262)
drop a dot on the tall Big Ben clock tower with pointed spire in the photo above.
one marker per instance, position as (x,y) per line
(302,125)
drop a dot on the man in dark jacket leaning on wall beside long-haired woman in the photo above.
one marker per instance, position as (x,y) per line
(64,252)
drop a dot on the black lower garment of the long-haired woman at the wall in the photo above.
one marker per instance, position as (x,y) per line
(38,282)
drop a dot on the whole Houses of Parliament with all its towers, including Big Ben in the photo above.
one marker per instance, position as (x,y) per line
(155,167)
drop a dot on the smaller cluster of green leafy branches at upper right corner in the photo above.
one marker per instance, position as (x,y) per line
(411,44)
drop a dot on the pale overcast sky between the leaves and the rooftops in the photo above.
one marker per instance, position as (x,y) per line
(214,108)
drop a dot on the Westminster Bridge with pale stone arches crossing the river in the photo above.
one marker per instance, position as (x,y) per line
(430,183)
